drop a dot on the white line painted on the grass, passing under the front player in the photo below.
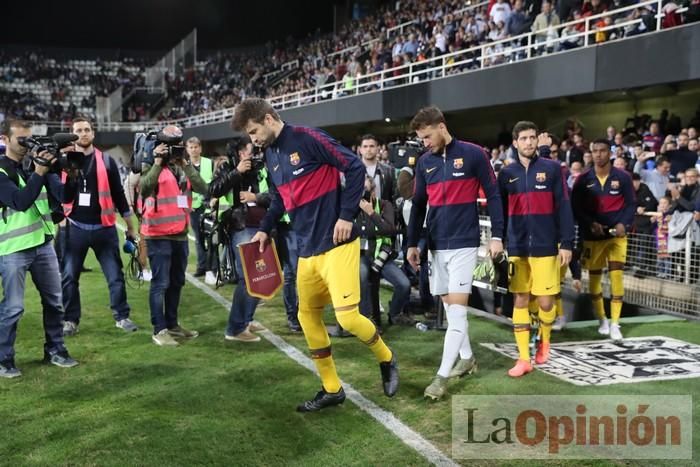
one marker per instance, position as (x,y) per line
(409,437)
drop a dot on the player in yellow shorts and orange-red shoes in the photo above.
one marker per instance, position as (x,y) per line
(540,230)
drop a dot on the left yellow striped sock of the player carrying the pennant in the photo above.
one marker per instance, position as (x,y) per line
(311,320)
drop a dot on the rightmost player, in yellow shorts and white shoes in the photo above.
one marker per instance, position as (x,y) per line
(604,205)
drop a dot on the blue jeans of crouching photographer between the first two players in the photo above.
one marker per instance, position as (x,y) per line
(394,275)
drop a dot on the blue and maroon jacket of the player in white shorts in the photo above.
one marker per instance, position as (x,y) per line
(450,185)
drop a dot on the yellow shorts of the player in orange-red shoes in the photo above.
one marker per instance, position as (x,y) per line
(538,276)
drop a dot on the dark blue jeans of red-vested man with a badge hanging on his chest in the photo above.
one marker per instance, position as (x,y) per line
(104,242)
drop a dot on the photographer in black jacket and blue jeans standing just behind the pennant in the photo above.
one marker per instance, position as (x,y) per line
(243,178)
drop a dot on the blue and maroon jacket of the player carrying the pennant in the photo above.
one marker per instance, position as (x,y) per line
(304,167)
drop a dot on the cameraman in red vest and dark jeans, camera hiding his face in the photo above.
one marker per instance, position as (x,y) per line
(167,182)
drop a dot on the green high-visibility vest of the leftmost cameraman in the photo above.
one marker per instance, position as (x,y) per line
(21,230)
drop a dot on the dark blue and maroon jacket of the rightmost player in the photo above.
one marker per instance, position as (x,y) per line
(610,204)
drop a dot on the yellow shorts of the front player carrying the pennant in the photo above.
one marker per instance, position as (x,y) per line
(331,277)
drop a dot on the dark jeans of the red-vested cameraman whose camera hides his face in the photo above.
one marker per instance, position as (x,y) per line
(168,259)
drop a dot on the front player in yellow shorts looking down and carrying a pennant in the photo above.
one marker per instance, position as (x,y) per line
(304,166)
